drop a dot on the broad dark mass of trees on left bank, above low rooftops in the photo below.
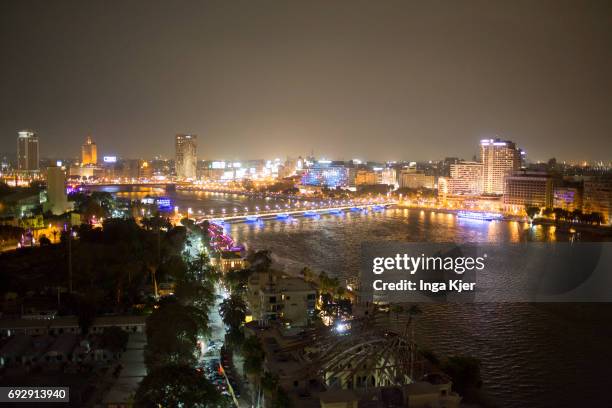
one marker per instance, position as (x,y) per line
(111,268)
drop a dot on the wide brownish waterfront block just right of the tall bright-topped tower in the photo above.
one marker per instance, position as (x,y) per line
(531,189)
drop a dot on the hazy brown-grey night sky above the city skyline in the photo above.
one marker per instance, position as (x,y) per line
(346,79)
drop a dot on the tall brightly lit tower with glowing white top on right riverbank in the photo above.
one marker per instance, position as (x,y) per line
(499,158)
